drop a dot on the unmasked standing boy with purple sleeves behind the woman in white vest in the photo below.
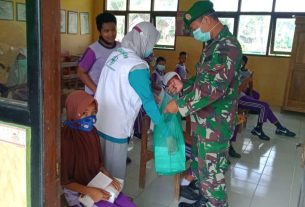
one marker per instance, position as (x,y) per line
(95,56)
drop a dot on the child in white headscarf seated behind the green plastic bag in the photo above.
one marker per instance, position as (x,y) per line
(187,183)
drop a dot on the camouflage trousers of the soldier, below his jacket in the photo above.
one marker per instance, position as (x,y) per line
(209,168)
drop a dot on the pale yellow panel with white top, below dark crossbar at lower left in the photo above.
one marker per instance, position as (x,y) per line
(15,165)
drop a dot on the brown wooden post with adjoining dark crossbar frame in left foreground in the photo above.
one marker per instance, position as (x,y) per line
(42,113)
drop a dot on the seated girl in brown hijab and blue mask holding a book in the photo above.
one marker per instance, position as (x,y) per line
(81,154)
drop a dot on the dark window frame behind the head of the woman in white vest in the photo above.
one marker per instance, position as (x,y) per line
(153,15)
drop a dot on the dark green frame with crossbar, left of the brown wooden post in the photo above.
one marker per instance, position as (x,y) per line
(32,114)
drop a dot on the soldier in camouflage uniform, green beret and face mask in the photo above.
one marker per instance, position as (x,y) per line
(210,97)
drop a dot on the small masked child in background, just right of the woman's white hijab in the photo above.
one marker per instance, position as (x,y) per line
(158,75)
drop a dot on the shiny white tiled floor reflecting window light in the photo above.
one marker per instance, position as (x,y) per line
(267,175)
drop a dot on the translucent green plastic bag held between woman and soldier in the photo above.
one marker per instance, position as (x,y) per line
(169,146)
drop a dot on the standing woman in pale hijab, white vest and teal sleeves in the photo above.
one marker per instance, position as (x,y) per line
(123,87)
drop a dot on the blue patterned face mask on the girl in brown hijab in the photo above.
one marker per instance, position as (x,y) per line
(84,124)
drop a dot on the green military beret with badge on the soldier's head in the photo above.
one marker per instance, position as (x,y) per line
(198,9)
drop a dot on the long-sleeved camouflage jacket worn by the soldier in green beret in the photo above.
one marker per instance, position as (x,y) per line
(211,96)
